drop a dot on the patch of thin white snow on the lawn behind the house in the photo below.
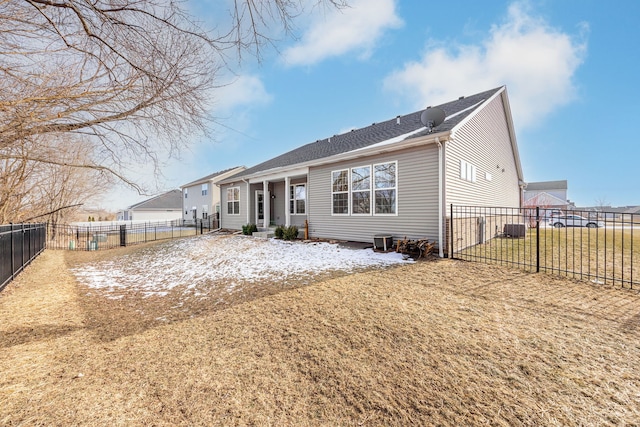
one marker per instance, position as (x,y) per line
(209,260)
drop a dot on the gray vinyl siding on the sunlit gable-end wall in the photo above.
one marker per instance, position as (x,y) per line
(485,142)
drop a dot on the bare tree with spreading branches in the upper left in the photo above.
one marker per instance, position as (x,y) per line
(124,79)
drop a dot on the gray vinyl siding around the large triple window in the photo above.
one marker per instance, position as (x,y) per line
(417,199)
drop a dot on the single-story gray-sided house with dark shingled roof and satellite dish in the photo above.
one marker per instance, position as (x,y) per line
(397,177)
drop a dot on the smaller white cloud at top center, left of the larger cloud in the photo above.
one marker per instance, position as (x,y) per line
(354,29)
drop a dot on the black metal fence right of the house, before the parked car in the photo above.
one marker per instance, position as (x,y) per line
(603,247)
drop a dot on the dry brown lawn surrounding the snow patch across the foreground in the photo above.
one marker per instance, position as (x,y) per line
(438,342)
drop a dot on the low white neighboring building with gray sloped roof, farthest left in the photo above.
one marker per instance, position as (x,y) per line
(164,207)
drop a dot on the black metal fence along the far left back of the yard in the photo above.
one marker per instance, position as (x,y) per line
(91,237)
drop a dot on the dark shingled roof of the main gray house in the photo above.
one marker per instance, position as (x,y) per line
(455,112)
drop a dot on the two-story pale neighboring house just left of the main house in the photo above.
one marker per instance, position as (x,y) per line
(201,198)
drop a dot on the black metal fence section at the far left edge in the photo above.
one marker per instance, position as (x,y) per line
(19,245)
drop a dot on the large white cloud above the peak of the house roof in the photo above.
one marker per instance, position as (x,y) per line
(534,60)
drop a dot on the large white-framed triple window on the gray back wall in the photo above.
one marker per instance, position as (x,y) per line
(365,190)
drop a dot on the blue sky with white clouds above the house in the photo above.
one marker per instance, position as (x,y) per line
(571,67)
